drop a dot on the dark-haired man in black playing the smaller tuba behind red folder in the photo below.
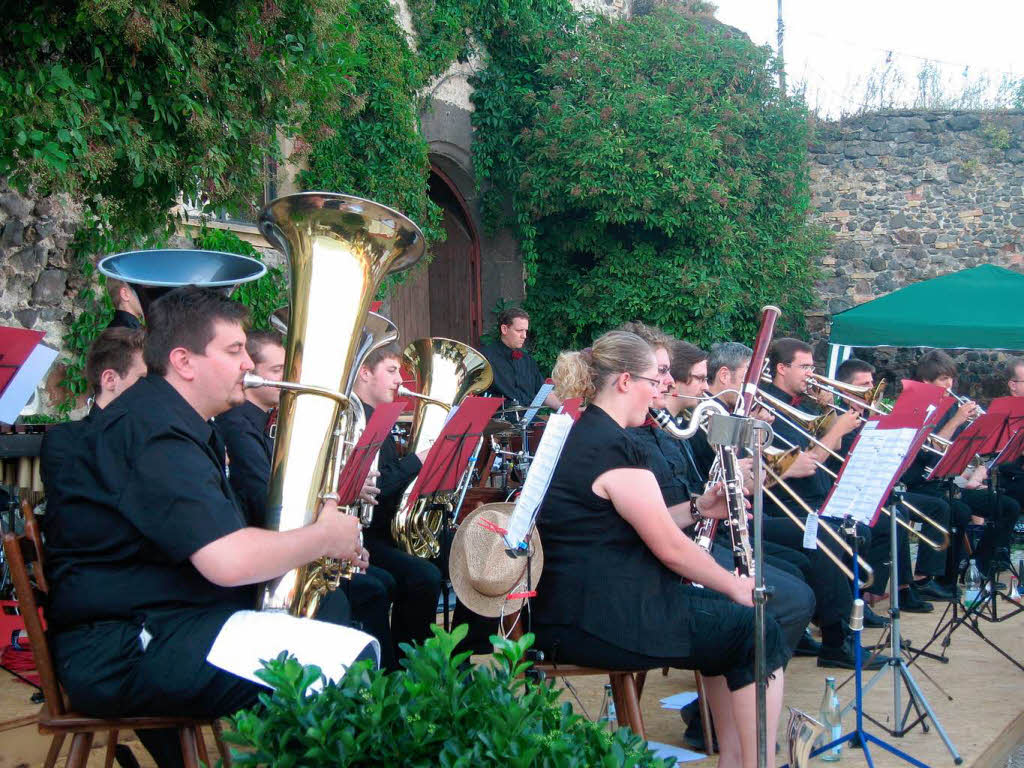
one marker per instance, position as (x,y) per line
(418,582)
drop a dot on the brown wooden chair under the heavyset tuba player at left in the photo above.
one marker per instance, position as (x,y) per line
(55,718)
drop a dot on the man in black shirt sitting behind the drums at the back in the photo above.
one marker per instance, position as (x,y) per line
(518,377)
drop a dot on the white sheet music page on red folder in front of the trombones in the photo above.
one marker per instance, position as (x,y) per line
(869,472)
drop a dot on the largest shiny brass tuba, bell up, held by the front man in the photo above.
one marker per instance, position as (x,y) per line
(339,250)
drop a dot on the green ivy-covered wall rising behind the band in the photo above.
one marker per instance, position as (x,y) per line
(626,168)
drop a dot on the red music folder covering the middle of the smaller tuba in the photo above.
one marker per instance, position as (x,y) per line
(451,453)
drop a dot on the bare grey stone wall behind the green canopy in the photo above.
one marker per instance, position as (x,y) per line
(911,196)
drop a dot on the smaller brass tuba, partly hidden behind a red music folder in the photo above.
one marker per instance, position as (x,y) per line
(446,372)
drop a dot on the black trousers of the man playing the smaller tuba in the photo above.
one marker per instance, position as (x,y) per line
(418,586)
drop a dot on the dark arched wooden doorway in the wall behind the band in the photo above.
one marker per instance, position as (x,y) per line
(445,300)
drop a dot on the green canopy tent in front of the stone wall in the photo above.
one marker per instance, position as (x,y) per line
(977,309)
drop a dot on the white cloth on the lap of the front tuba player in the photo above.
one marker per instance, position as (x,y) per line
(249,637)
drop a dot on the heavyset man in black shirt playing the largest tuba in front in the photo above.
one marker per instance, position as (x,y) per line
(150,554)
